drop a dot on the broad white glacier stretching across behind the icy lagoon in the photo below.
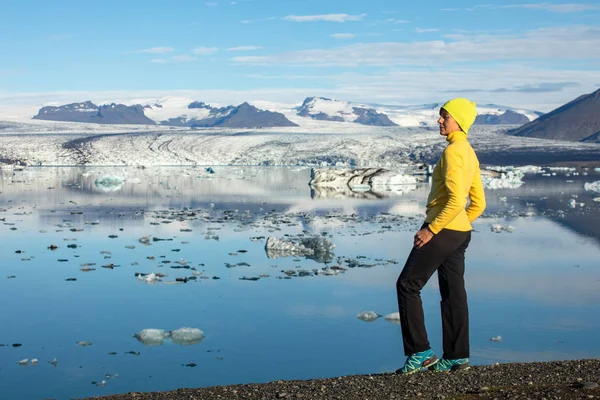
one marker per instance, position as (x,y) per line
(324,144)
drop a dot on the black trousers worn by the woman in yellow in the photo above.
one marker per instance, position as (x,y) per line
(445,252)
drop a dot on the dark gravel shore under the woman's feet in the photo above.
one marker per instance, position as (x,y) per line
(546,380)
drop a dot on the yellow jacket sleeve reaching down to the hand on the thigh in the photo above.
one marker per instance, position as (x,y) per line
(453,177)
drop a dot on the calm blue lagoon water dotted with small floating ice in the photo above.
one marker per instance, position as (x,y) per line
(537,287)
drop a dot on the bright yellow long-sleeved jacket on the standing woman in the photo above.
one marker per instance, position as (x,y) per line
(455,177)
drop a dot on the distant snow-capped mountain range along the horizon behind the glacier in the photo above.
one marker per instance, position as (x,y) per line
(313,112)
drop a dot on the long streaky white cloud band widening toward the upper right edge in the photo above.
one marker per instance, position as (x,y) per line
(558,43)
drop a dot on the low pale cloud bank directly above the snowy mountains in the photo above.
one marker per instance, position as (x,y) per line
(412,85)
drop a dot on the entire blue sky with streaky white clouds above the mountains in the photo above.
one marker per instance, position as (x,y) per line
(538,54)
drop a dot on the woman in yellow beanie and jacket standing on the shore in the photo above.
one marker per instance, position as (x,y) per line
(440,245)
